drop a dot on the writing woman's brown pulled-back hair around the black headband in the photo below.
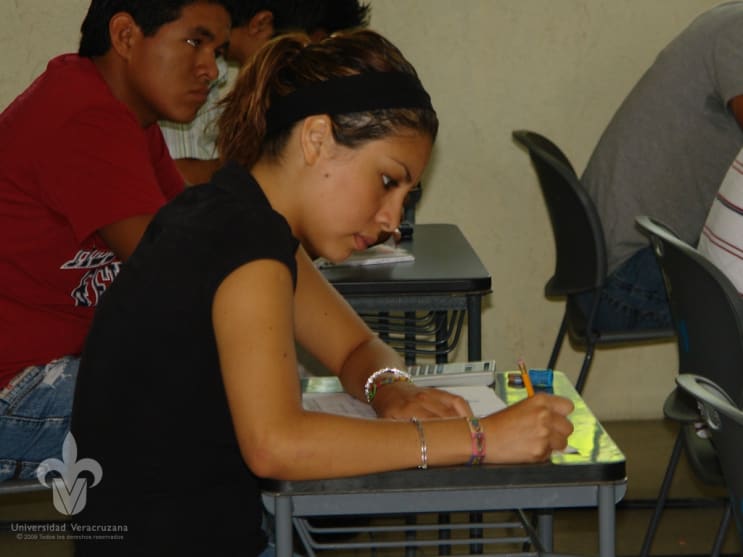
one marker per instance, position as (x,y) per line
(289,63)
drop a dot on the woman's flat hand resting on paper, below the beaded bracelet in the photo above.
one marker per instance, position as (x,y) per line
(402,401)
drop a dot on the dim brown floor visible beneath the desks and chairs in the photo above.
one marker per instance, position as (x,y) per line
(647,444)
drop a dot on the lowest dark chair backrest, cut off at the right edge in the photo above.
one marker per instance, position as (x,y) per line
(725,420)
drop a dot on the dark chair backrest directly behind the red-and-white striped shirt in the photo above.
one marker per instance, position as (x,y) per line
(706,309)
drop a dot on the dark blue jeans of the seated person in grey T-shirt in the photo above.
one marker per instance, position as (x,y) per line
(634,296)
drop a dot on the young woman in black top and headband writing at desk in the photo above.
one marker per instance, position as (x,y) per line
(188,390)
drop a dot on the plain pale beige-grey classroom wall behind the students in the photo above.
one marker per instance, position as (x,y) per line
(560,67)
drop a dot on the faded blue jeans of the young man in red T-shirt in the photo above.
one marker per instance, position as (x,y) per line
(35,410)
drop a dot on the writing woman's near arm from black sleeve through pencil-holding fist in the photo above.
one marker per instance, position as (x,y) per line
(253,315)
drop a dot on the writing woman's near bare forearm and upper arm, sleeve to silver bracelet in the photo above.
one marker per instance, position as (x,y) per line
(253,319)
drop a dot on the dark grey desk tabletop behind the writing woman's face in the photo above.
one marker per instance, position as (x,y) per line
(444,262)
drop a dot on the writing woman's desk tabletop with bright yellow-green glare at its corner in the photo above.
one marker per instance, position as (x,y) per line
(598,460)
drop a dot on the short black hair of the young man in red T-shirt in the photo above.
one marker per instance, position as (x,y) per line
(149,15)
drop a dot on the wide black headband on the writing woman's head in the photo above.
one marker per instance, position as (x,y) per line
(353,93)
